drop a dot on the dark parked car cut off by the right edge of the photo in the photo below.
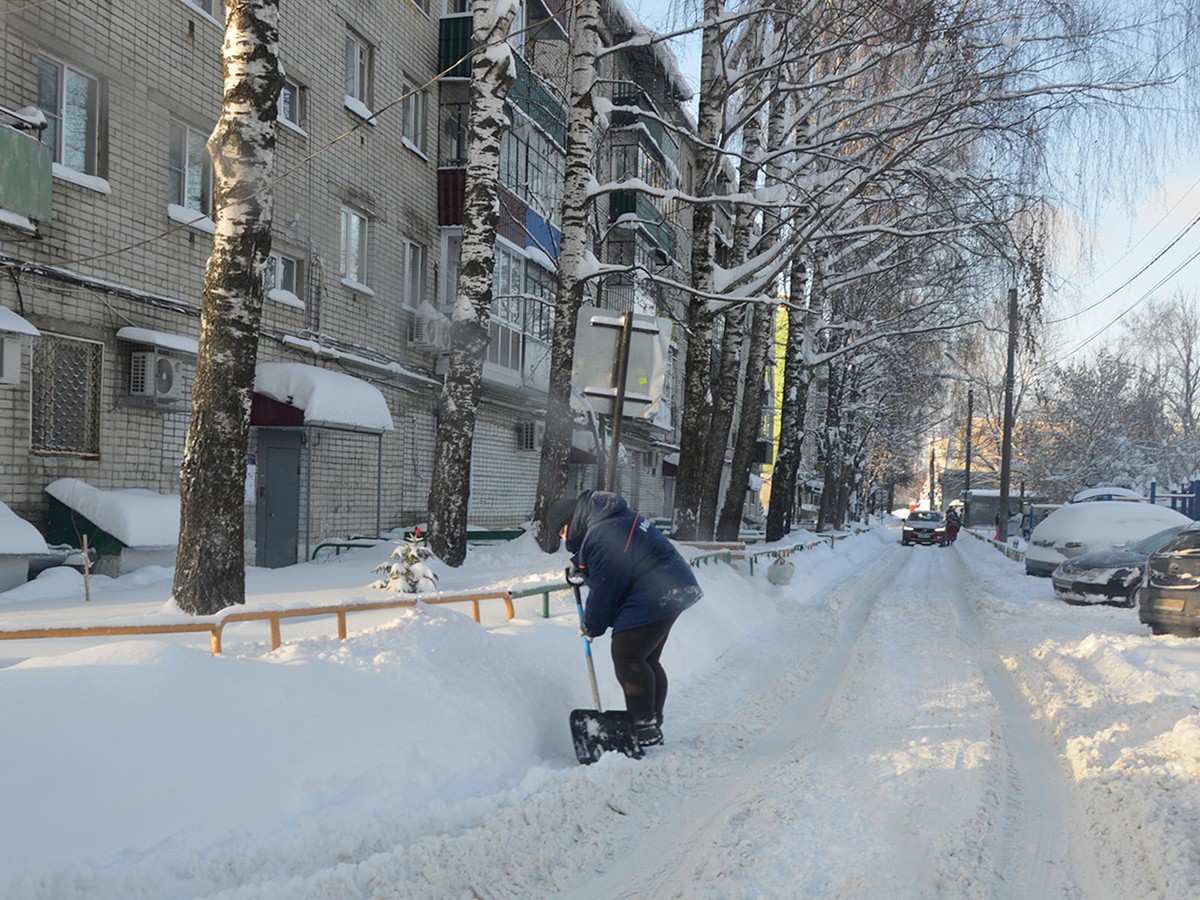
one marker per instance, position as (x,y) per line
(1169,599)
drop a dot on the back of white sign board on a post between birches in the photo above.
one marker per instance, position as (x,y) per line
(597,353)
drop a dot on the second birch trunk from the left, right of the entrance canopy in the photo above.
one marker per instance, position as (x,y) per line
(491,77)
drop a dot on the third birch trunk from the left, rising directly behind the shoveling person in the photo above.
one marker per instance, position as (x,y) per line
(556,446)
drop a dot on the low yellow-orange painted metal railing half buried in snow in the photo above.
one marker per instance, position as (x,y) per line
(275,617)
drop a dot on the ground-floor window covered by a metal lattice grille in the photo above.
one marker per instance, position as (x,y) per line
(65,407)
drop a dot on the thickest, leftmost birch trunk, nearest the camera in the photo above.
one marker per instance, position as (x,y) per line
(211,565)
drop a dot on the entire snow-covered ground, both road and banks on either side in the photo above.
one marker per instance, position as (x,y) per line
(898,723)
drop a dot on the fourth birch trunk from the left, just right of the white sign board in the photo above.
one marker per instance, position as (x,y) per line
(698,370)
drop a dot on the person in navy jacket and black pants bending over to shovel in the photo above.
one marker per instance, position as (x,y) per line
(638,586)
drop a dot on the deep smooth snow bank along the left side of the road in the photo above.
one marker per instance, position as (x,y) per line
(149,769)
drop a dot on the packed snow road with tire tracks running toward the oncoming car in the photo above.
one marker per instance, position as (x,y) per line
(873,745)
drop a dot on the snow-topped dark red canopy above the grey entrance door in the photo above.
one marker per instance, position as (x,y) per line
(328,399)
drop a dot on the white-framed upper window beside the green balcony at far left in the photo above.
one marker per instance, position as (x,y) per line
(70,100)
